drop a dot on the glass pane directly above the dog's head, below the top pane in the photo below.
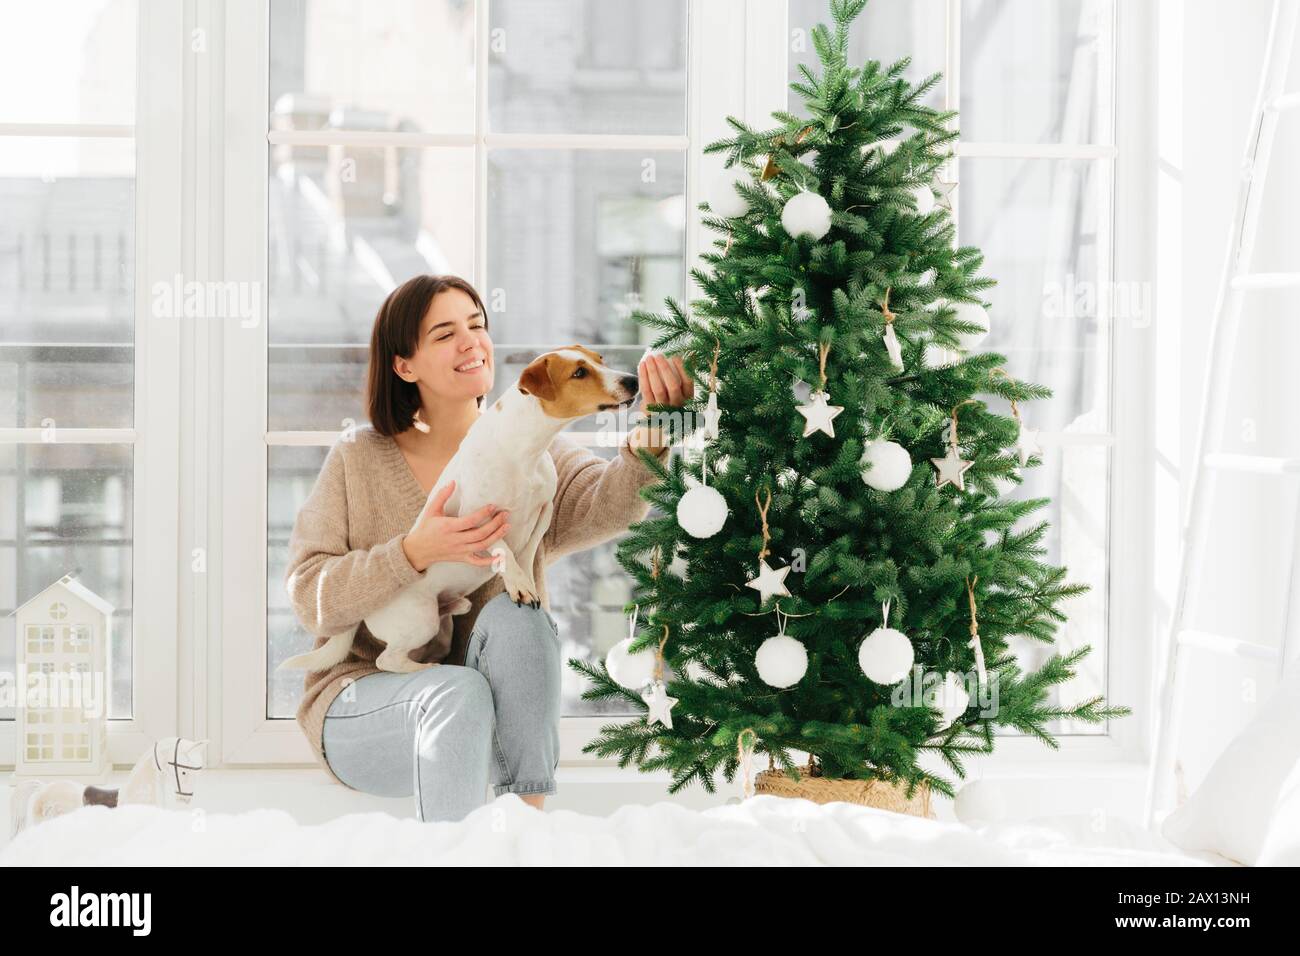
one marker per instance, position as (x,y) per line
(579,239)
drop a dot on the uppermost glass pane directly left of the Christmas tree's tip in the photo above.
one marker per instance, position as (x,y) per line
(588,67)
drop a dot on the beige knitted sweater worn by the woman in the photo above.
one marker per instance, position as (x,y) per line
(346,559)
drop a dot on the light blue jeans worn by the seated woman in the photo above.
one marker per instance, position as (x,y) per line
(445,733)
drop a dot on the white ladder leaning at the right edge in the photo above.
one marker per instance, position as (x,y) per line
(1236,284)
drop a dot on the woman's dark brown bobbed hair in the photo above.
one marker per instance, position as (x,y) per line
(392,403)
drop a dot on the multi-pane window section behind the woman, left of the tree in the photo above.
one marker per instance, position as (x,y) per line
(553,178)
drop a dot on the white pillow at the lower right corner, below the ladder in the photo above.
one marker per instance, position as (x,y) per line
(1245,793)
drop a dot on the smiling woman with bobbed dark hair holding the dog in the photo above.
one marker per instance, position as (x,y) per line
(491,712)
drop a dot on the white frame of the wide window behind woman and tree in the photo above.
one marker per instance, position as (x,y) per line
(738,67)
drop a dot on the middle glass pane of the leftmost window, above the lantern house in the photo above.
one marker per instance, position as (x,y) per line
(67,283)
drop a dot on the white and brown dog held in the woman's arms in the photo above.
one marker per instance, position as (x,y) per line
(504,461)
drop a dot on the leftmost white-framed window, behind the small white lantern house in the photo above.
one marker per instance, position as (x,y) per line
(88,192)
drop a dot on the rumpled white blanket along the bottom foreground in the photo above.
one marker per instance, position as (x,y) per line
(764,830)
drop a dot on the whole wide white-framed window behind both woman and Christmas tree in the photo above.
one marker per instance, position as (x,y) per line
(551,153)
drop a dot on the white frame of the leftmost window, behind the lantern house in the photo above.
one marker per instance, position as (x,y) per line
(157,581)
